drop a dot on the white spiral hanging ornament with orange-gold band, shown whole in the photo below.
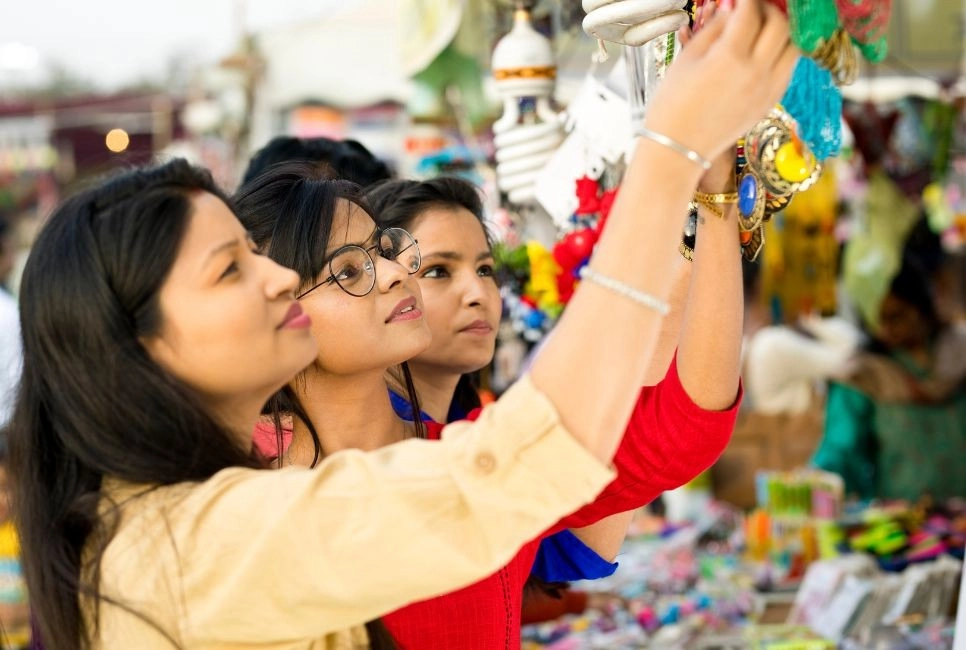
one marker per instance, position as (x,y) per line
(529,131)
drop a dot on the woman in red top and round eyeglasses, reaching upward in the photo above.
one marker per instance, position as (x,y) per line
(678,427)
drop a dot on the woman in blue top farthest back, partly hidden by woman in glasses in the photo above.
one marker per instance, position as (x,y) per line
(462,306)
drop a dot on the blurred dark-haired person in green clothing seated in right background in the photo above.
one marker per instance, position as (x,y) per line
(896,428)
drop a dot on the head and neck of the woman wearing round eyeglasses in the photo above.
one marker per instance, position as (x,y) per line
(365,306)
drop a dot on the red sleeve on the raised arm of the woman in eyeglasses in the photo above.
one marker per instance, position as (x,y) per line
(669,440)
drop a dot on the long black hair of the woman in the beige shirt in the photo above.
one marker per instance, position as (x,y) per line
(92,403)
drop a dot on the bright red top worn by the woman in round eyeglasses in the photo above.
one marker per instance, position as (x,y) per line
(669,440)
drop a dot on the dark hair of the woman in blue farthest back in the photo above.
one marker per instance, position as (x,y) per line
(397,203)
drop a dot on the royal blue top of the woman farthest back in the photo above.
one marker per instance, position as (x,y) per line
(562,557)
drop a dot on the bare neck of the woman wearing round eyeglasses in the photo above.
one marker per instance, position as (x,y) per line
(348,412)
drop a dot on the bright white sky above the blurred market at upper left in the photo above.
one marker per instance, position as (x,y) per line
(113,42)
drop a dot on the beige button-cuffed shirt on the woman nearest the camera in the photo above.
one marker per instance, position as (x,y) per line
(299,558)
